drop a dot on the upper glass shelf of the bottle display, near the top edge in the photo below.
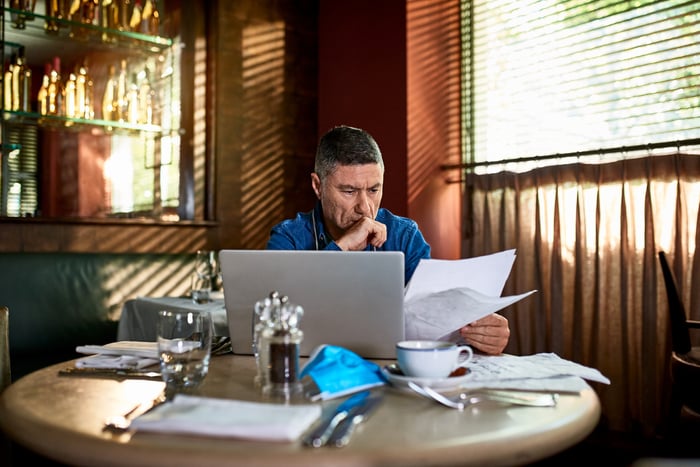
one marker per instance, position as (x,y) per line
(83,32)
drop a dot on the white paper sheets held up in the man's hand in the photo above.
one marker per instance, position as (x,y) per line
(444,295)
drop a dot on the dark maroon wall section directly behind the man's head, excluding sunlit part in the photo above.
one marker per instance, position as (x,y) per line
(362,81)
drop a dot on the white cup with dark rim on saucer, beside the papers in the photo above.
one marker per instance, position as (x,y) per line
(431,359)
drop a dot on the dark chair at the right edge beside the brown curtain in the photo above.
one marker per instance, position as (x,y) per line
(685,358)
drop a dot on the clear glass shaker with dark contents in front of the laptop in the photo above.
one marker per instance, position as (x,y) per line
(278,347)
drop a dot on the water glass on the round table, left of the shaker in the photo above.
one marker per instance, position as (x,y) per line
(184,348)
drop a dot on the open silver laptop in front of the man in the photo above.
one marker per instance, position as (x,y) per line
(350,299)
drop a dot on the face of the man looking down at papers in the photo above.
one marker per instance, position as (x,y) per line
(348,194)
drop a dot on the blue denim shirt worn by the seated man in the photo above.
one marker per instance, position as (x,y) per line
(302,233)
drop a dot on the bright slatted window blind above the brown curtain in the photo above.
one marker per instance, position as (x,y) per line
(546,77)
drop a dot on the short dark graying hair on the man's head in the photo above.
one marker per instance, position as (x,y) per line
(345,145)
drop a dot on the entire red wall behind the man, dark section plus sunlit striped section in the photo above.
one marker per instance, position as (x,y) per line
(392,68)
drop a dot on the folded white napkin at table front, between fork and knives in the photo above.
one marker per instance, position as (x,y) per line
(229,418)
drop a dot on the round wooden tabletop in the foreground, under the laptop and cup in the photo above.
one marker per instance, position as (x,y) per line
(62,417)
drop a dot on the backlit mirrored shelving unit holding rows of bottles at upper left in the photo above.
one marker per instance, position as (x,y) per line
(60,166)
